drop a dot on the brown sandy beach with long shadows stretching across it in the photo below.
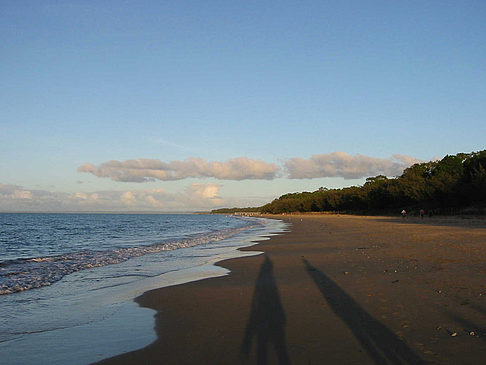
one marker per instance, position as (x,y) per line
(334,290)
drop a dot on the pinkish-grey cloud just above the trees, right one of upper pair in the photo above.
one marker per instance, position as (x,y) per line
(341,164)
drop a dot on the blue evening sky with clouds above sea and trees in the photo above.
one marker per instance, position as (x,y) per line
(194,105)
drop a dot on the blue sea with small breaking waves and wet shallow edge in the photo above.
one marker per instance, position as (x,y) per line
(67,281)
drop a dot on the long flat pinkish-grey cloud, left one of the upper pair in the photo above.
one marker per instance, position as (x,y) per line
(143,170)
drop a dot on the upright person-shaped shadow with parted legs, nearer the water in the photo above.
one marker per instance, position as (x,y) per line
(267,319)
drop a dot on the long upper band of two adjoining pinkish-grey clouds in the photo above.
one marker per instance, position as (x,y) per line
(335,164)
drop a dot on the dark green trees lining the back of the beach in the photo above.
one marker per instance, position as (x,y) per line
(452,185)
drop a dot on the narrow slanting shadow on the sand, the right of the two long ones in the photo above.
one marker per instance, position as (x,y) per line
(381,344)
